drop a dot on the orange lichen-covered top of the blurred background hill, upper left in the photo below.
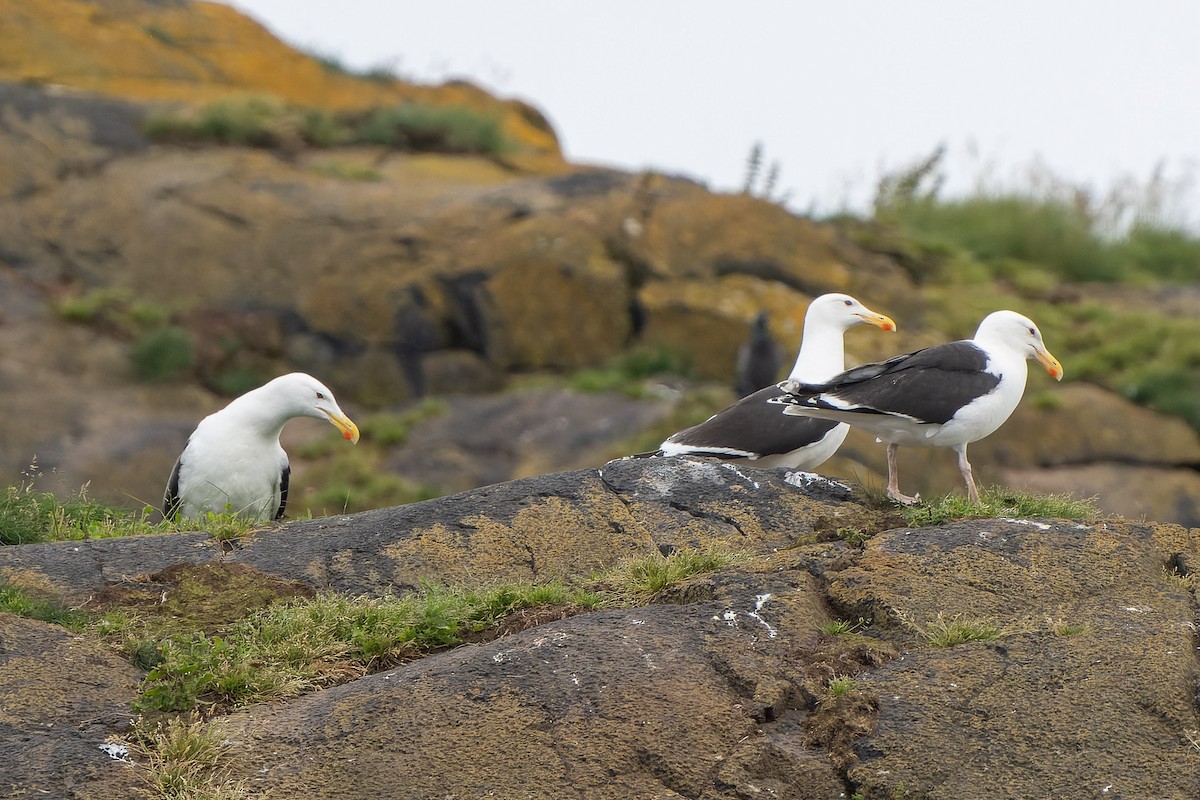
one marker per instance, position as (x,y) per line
(200,52)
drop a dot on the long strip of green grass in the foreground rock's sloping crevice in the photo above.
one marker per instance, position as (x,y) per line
(304,645)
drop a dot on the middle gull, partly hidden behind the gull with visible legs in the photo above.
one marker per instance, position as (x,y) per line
(755,430)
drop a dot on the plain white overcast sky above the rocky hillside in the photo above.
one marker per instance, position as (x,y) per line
(837,93)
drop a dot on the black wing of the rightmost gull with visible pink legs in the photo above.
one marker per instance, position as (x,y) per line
(929,386)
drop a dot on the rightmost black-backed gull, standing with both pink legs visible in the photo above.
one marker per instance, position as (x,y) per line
(945,396)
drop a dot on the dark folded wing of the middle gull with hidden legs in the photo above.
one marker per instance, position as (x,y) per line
(754,425)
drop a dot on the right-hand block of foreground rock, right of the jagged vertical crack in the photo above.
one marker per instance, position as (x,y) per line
(1096,660)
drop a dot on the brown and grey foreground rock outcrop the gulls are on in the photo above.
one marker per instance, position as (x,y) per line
(719,689)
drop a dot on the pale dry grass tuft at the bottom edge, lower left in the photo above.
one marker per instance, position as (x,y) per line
(184,760)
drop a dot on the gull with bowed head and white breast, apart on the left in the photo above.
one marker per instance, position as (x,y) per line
(235,462)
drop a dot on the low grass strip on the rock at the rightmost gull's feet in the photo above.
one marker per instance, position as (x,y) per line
(999,503)
